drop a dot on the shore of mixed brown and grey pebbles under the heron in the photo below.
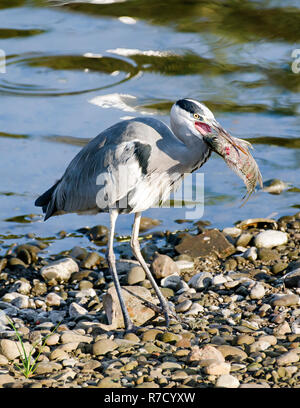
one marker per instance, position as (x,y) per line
(235,297)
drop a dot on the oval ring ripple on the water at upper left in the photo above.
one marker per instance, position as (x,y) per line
(71,74)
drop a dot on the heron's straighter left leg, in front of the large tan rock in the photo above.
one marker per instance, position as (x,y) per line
(111,259)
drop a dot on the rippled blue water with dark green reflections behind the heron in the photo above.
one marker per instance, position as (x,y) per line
(74,68)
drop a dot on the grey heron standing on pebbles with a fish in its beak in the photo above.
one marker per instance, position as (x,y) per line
(131,166)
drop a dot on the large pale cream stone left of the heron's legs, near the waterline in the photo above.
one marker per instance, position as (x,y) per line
(59,271)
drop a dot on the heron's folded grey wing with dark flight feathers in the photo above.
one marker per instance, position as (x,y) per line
(100,176)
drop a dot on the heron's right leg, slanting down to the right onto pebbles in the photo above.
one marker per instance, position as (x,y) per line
(137,253)
